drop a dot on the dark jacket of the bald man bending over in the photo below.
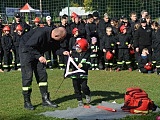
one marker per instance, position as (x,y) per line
(36,42)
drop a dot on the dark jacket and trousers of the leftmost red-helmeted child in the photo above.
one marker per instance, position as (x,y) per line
(7,45)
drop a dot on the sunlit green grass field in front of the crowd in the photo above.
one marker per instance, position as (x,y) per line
(104,85)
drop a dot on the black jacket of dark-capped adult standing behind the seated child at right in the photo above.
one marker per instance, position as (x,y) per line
(143,37)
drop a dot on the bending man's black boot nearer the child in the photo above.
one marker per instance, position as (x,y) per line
(47,102)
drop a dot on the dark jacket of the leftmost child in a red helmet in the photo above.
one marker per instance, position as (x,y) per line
(7,43)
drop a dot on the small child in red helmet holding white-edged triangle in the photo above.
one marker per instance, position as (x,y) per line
(79,80)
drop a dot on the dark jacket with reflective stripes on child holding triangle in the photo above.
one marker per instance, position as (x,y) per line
(84,59)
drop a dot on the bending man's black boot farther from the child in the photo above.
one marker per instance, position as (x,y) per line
(27,103)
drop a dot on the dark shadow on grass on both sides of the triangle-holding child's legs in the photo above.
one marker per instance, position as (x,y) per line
(101,96)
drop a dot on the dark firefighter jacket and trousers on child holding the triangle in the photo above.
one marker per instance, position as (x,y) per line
(79,80)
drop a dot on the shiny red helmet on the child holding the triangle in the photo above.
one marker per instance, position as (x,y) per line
(82,44)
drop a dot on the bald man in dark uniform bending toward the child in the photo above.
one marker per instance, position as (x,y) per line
(32,47)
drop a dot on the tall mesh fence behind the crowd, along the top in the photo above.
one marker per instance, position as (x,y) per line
(115,8)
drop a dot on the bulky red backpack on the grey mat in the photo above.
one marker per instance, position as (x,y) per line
(136,101)
